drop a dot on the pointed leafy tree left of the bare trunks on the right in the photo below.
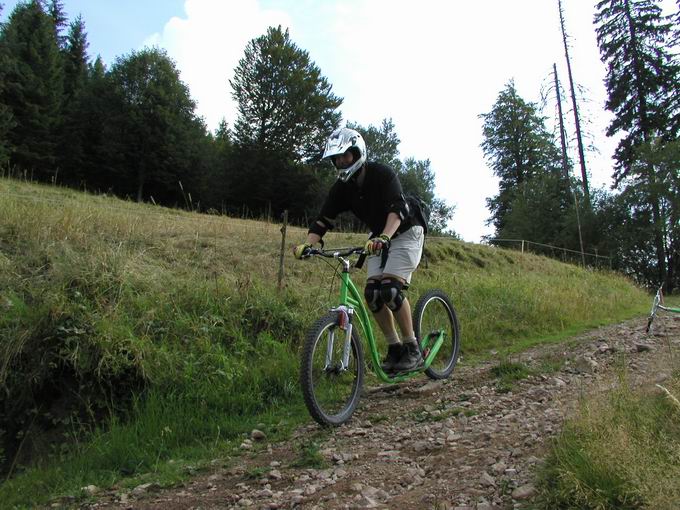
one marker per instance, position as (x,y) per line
(519,148)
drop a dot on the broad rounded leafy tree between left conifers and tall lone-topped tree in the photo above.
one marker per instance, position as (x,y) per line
(156,124)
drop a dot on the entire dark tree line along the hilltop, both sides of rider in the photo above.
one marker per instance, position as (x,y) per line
(132,130)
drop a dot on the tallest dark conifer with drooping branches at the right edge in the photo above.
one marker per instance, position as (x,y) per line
(642,80)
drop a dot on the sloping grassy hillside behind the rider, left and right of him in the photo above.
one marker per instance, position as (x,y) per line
(171,323)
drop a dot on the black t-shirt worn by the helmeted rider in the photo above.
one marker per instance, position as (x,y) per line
(379,195)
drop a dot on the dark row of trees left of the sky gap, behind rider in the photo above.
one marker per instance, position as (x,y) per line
(132,130)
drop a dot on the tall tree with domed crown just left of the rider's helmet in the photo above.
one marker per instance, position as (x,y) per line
(286,111)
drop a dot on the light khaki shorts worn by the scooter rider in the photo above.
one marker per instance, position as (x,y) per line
(404,256)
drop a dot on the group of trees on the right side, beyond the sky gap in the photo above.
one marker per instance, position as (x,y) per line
(638,221)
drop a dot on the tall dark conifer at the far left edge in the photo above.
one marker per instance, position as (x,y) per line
(33,88)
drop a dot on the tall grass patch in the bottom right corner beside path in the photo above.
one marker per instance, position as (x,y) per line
(622,450)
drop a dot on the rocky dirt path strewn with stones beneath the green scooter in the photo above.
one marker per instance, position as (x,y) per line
(457,444)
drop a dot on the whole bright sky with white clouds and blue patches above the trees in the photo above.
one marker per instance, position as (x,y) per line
(432,66)
